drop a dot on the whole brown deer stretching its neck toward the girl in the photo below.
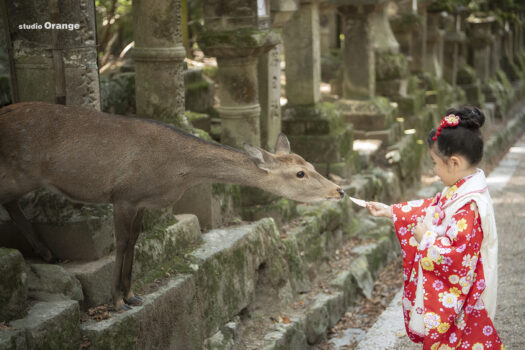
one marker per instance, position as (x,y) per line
(134,164)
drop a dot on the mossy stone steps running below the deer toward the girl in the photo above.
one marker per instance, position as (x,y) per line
(211,287)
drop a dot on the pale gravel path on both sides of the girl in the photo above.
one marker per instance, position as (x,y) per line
(507,188)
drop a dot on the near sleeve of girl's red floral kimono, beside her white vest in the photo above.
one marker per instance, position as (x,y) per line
(454,256)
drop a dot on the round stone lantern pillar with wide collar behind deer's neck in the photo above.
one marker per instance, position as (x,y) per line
(237,34)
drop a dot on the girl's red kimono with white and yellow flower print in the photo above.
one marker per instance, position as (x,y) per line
(453,280)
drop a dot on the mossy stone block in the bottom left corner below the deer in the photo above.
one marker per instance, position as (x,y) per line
(48,325)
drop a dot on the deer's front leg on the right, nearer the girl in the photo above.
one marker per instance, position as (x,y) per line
(129,296)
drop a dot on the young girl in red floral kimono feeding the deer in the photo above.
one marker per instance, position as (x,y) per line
(449,244)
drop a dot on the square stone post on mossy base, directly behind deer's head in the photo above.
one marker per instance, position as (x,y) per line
(316,130)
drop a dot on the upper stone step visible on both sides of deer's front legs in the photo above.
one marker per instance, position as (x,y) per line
(155,250)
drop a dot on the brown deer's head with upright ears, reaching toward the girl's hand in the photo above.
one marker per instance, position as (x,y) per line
(289,175)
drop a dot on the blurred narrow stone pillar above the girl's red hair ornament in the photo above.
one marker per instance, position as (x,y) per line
(434,53)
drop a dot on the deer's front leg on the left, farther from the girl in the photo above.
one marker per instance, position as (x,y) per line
(123,215)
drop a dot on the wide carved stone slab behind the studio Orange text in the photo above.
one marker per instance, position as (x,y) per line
(55,65)
